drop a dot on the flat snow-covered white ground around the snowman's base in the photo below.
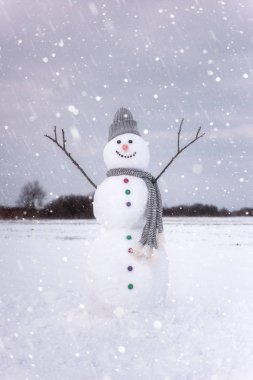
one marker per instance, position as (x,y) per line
(206,331)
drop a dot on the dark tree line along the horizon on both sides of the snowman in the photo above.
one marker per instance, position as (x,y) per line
(32,195)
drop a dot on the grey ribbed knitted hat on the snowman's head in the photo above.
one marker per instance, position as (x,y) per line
(123,122)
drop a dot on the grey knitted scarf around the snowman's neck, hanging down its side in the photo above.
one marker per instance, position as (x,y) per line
(154,210)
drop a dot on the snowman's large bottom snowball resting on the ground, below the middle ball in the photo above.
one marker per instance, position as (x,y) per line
(117,278)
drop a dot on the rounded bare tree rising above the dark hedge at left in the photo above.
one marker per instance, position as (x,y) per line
(31,195)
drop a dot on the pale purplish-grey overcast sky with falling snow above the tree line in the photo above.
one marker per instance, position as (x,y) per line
(73,63)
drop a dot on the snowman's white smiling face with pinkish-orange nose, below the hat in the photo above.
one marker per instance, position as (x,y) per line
(126,151)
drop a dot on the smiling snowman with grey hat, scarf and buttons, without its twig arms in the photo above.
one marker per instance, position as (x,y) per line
(127,263)
